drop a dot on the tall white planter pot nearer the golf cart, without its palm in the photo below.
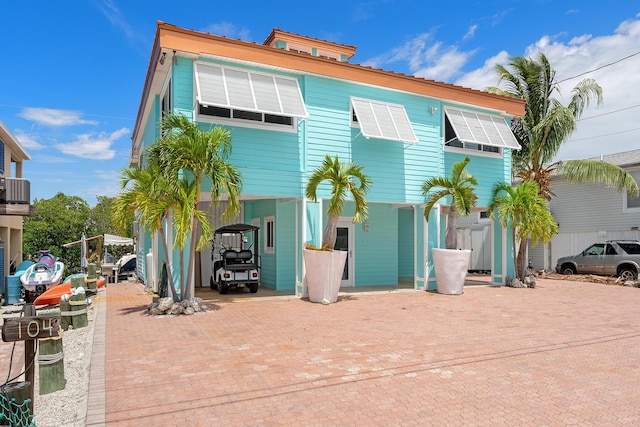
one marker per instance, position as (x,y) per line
(324,274)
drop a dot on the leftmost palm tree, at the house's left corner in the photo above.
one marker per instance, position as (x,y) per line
(146,193)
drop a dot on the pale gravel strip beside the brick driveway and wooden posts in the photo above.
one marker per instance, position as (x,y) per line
(67,407)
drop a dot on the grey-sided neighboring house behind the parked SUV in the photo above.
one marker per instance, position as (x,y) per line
(588,214)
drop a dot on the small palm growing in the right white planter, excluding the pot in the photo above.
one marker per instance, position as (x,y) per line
(463,197)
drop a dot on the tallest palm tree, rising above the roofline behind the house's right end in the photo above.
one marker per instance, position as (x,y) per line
(547,123)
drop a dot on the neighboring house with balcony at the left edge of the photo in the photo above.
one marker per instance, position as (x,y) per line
(15,202)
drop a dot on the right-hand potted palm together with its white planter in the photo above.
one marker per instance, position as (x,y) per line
(451,264)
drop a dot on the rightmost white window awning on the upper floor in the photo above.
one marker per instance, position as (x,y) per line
(481,128)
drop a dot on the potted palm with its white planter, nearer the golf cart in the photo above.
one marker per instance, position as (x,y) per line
(324,267)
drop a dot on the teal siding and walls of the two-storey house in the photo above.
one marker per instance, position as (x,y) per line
(275,165)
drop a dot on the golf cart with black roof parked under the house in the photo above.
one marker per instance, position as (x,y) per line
(234,263)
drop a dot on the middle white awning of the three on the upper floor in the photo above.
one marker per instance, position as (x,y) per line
(383,120)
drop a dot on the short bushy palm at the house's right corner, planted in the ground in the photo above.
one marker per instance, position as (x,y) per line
(523,208)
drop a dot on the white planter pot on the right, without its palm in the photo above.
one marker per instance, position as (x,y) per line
(451,267)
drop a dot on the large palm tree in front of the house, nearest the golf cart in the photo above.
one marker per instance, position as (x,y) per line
(188,154)
